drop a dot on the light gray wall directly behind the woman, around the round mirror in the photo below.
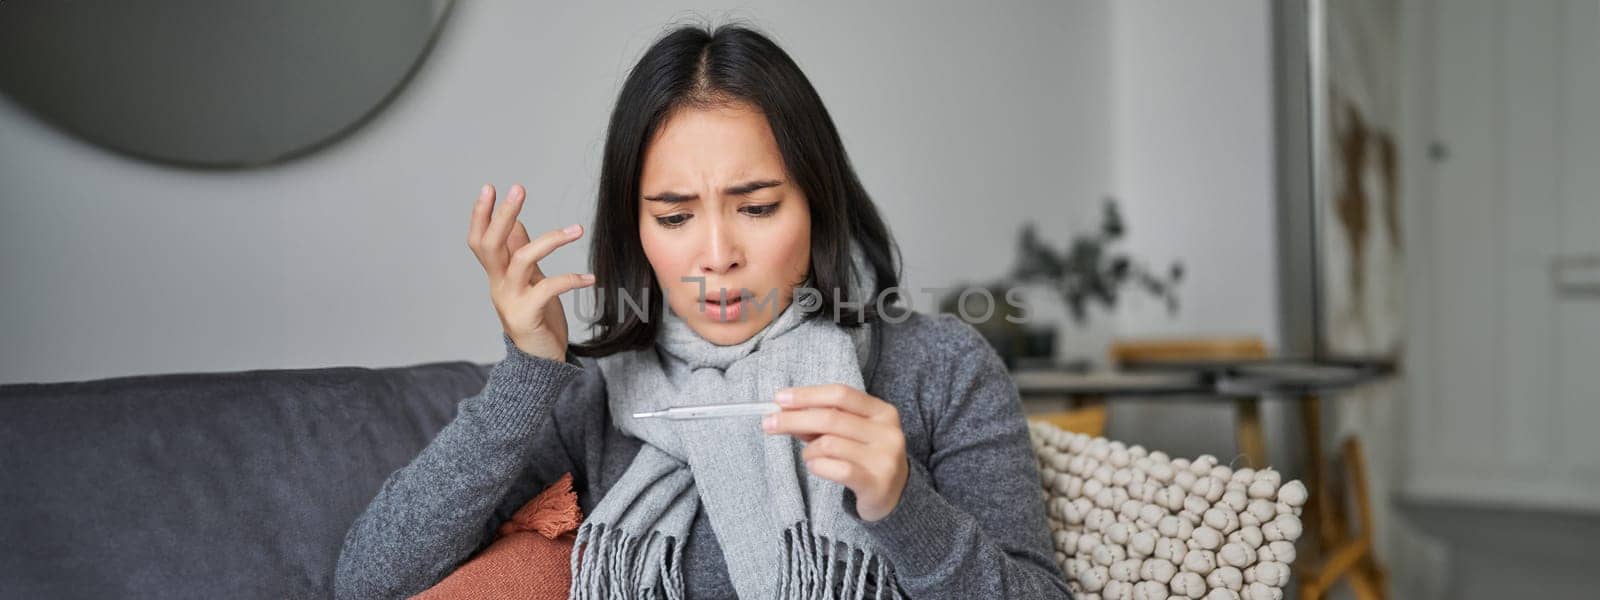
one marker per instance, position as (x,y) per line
(964,122)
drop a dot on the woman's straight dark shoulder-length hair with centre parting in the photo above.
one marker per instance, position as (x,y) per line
(697,66)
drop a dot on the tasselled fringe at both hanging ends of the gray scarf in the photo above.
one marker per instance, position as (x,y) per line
(609,564)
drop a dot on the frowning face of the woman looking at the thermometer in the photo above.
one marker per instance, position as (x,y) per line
(719,212)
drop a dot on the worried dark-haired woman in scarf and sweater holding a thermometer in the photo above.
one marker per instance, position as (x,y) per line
(754,268)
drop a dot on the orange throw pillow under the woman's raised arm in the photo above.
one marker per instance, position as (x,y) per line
(530,556)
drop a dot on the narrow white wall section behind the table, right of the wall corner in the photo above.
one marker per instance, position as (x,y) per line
(1193,167)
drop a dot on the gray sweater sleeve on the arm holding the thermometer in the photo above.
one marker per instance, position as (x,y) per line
(972,522)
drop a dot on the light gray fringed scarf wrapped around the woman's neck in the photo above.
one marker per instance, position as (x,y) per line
(783,532)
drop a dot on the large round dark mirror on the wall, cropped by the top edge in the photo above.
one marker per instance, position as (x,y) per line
(214,84)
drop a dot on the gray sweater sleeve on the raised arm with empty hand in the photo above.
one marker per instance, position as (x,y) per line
(436,511)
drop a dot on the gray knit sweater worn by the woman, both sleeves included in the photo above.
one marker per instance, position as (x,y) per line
(969,526)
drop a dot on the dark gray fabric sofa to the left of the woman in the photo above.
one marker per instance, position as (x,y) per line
(206,486)
